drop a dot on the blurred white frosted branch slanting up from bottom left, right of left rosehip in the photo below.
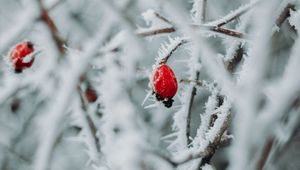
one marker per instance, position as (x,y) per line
(54,118)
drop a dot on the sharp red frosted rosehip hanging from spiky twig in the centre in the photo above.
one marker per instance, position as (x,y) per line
(164,84)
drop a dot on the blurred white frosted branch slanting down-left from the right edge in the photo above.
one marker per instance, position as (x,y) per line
(283,94)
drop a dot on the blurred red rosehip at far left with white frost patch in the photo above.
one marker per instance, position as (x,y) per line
(18,54)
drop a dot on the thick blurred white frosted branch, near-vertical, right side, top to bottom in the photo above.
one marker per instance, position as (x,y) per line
(251,81)
